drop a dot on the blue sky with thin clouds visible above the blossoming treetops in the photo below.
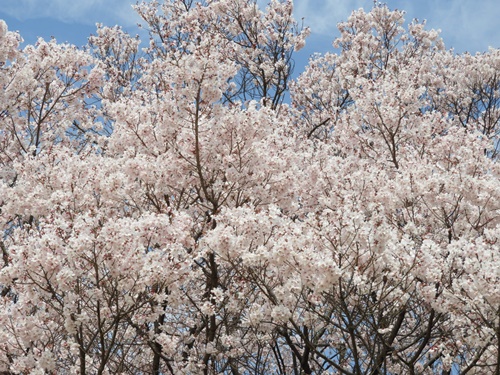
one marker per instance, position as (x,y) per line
(467,25)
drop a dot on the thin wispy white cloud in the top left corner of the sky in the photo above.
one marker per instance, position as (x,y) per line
(74,11)
